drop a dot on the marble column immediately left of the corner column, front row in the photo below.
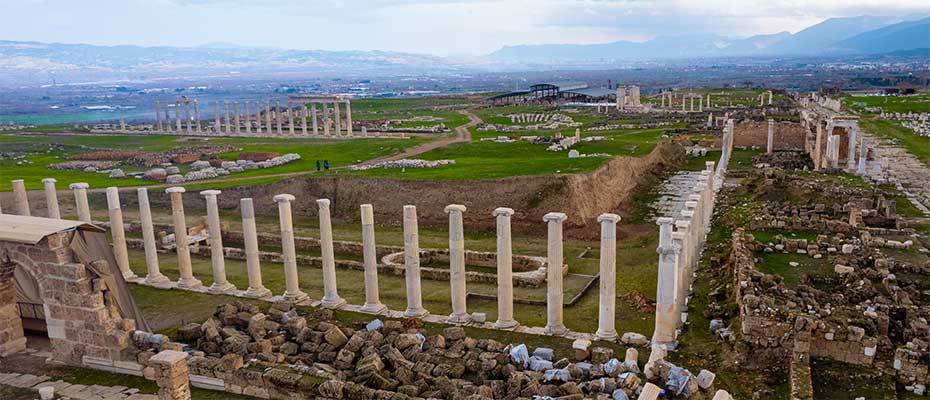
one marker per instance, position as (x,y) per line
(606,321)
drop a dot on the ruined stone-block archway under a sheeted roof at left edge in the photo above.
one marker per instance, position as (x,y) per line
(82,320)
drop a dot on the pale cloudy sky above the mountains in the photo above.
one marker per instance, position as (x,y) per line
(444,27)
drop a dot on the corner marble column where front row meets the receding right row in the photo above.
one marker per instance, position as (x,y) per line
(666,320)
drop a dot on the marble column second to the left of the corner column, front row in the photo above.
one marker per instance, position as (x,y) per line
(554,262)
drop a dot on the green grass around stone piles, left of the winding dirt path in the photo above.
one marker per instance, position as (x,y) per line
(340,153)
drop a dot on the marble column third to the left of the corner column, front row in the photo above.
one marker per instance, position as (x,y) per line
(504,270)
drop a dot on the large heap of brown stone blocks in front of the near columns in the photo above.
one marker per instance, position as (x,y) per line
(278,353)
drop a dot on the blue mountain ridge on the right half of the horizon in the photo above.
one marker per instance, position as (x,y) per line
(835,36)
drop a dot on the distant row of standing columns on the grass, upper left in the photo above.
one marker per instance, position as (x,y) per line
(242,123)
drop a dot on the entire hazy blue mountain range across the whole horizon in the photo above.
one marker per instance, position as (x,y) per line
(24,63)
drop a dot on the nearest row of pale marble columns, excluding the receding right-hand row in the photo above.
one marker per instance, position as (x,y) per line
(555,260)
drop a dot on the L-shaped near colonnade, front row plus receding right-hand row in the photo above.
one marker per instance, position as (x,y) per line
(681,240)
